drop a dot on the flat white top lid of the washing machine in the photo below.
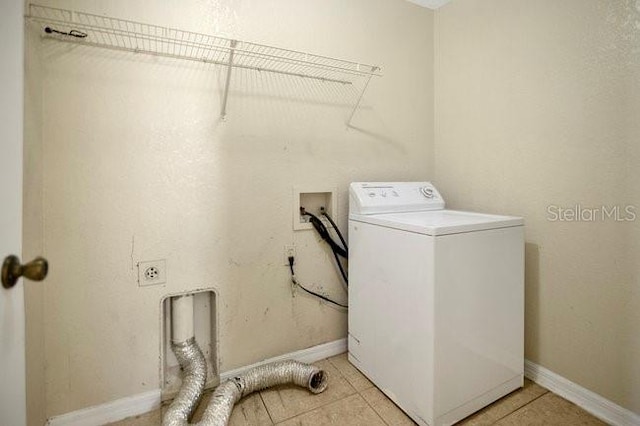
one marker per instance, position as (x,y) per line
(439,222)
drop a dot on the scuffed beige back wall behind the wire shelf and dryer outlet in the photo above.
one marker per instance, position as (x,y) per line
(137,166)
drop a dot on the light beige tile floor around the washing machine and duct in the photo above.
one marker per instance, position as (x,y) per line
(352,400)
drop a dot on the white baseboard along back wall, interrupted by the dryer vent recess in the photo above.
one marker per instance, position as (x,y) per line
(134,405)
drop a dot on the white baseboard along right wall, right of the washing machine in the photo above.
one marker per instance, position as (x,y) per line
(584,398)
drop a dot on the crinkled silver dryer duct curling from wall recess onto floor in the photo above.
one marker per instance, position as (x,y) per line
(228,393)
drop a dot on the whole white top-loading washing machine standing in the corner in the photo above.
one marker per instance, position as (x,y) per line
(436,300)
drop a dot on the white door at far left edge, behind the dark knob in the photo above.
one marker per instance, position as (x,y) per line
(13,411)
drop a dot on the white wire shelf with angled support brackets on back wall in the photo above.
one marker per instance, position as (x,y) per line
(125,35)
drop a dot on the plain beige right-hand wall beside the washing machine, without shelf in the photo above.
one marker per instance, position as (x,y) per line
(537,104)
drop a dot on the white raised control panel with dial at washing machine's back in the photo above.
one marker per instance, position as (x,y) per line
(393,197)
